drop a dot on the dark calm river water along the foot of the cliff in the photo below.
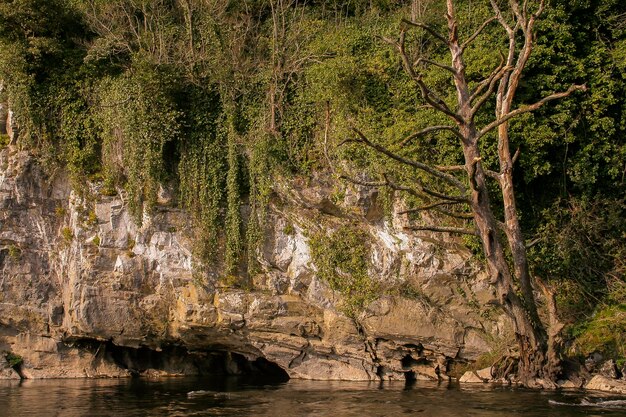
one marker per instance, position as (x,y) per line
(235,397)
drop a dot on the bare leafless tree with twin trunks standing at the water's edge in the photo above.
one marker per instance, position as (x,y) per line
(538,360)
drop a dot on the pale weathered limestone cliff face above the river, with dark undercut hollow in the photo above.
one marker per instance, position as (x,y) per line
(86,291)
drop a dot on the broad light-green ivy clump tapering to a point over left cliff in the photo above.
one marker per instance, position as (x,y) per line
(139,121)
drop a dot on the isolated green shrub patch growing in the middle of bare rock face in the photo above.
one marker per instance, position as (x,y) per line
(342,260)
